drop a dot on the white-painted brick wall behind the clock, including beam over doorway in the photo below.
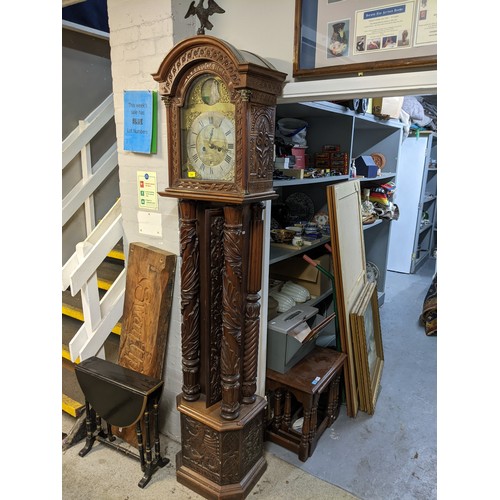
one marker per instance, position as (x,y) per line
(141,34)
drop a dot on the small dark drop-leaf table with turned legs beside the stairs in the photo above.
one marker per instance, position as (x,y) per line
(121,397)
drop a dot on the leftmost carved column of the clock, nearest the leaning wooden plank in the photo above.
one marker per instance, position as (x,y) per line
(190,301)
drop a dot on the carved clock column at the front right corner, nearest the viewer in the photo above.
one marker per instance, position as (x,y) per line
(232,320)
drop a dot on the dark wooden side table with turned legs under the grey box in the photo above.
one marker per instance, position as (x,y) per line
(310,390)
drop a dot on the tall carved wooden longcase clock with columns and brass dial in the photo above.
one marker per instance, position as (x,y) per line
(220,104)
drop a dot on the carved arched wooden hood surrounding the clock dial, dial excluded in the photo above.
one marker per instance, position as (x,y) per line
(253,85)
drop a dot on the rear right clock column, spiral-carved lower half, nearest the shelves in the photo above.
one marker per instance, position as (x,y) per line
(252,312)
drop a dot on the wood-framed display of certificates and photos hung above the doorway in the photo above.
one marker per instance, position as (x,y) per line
(355,37)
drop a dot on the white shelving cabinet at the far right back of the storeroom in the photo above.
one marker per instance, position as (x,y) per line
(413,236)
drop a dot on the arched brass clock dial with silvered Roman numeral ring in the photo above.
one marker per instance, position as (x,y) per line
(208,131)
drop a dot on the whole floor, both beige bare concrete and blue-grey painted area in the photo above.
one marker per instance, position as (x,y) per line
(390,455)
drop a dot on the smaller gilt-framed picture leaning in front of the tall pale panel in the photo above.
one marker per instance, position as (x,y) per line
(369,351)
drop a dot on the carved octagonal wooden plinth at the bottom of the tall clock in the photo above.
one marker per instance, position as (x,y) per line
(220,459)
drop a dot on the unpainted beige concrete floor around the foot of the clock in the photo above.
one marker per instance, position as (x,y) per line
(105,474)
